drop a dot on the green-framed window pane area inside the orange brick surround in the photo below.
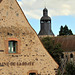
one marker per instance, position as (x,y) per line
(12,46)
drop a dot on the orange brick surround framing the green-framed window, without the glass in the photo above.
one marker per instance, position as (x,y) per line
(18,51)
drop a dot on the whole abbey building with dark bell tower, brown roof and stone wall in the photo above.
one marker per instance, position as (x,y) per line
(67,42)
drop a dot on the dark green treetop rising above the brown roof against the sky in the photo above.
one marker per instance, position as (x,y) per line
(65,31)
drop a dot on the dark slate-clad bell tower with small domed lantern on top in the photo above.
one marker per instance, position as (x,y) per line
(45,24)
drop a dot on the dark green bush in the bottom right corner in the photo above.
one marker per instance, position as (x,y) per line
(70,68)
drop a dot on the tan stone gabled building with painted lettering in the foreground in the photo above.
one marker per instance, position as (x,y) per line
(21,52)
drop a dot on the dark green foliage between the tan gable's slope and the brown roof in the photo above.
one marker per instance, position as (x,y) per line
(54,49)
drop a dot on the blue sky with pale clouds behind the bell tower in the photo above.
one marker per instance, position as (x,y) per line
(62,12)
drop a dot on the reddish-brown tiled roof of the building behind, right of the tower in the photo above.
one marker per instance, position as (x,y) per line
(67,42)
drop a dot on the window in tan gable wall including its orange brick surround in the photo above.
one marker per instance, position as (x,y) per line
(12,45)
